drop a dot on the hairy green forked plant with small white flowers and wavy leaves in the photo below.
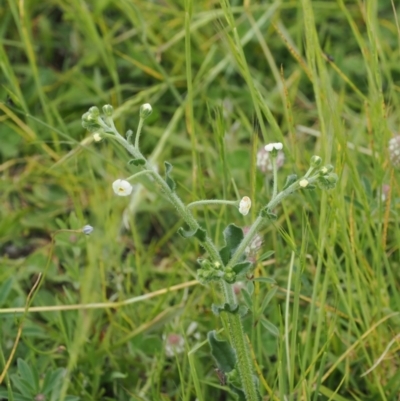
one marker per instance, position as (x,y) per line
(227,265)
